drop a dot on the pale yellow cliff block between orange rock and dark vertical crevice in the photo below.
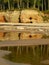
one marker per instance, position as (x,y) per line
(12,17)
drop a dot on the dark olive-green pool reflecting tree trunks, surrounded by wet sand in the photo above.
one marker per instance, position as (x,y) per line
(28,54)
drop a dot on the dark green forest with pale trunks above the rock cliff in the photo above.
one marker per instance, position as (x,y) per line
(11,4)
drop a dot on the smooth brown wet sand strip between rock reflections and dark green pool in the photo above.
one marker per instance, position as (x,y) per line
(28,42)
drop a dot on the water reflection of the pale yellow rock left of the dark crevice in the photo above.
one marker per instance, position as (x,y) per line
(11,36)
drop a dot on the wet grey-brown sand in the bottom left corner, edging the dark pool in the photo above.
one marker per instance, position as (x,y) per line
(7,62)
